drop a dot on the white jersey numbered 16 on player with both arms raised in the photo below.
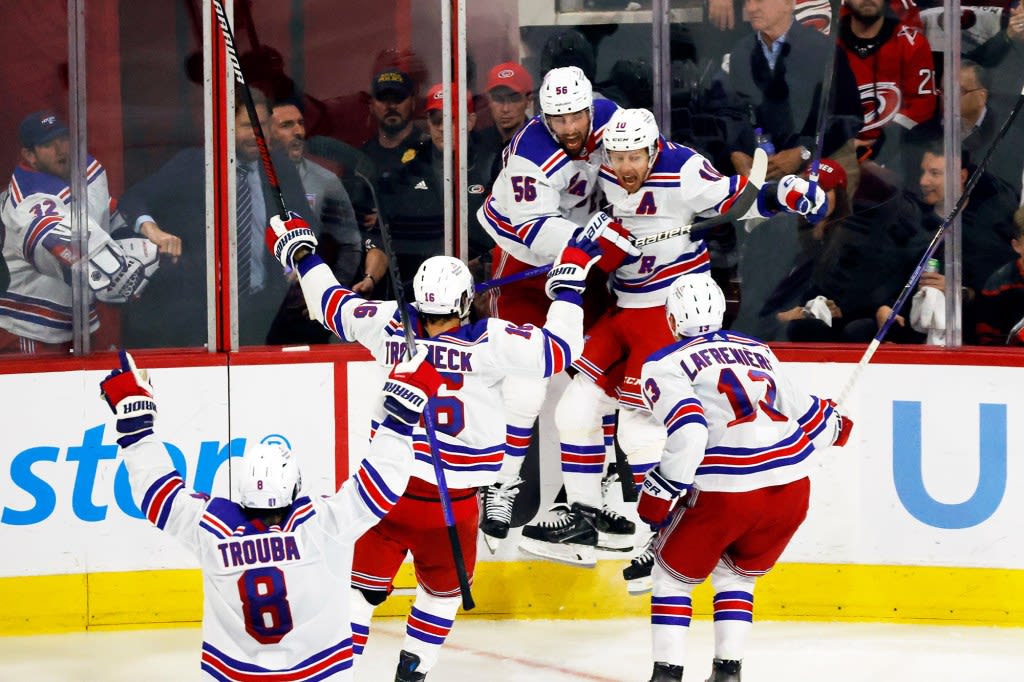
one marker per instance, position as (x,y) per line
(468,411)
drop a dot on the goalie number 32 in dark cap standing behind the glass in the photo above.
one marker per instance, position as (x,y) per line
(36,311)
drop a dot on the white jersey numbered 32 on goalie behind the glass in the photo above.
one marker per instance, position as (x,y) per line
(39,251)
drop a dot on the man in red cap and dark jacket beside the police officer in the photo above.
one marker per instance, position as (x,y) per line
(413,196)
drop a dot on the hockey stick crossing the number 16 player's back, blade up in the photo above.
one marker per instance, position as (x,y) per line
(429,418)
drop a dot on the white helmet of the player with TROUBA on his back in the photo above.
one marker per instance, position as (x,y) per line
(269,478)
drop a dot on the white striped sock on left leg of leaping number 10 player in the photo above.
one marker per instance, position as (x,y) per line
(579,418)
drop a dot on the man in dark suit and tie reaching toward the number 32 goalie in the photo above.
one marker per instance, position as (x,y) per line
(175,312)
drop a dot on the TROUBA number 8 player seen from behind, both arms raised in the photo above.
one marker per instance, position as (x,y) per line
(272,559)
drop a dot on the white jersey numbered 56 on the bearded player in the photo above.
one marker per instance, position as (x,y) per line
(542,196)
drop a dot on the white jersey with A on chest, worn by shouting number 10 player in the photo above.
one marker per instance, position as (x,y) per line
(681,186)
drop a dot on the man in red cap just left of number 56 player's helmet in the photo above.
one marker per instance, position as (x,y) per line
(510,94)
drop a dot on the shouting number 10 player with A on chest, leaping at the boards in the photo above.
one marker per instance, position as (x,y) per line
(652,186)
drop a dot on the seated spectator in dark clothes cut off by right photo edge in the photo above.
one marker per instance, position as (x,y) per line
(1001,305)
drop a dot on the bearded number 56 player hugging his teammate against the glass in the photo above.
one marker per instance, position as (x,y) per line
(545,192)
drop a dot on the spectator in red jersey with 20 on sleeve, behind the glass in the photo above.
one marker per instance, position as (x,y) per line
(892,64)
